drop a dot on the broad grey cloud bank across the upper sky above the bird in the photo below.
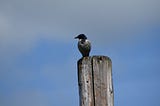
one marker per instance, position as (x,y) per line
(24,22)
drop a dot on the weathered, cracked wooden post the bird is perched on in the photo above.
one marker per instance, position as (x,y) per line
(95,81)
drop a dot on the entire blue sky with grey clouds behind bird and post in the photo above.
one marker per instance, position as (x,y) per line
(38,55)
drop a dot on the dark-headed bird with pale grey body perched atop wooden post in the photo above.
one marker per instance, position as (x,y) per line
(84,45)
